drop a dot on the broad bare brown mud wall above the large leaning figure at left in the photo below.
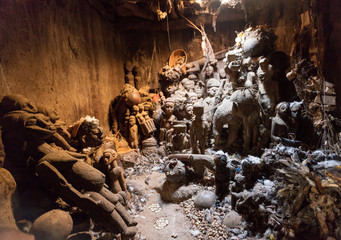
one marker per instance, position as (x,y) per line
(61,54)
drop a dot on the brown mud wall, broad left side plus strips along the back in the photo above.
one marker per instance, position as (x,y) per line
(64,54)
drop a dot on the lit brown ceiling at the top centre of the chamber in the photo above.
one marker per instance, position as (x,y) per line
(136,13)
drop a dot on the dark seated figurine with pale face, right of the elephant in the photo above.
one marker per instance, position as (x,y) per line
(280,124)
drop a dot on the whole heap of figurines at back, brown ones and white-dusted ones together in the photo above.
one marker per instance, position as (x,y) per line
(211,105)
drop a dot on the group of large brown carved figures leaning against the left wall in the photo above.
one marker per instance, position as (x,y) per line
(35,139)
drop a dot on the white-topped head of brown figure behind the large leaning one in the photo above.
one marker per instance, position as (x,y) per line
(90,134)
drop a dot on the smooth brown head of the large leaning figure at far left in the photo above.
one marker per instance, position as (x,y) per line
(16,102)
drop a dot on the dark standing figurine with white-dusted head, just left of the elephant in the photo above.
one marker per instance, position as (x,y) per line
(198,130)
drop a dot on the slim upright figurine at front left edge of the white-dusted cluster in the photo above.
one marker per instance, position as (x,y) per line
(166,122)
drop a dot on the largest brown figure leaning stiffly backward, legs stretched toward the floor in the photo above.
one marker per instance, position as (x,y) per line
(67,175)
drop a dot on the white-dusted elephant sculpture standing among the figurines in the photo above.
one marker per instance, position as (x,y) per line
(241,110)
